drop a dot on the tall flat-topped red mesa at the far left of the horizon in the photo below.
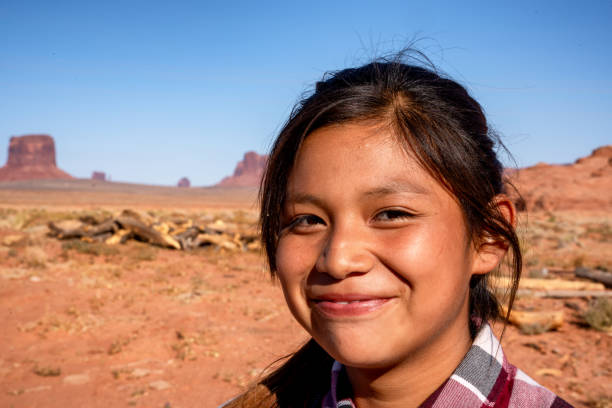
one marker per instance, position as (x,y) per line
(31,157)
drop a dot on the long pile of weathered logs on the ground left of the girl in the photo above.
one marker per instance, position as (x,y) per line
(180,233)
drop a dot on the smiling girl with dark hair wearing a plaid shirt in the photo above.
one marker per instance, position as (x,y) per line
(383,214)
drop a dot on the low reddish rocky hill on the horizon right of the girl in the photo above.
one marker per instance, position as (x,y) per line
(585,184)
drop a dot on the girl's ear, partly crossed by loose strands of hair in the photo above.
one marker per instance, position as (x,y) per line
(490,250)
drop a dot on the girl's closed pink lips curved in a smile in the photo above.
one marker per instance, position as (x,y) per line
(348,305)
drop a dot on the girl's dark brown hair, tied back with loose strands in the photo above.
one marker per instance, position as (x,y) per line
(436,120)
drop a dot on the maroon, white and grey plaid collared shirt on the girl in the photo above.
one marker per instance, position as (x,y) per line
(483,379)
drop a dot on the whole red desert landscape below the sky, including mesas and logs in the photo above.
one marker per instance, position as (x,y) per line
(118,294)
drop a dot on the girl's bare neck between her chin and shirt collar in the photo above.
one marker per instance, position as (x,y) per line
(409,383)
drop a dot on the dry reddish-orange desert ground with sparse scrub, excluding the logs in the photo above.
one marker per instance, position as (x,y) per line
(88,324)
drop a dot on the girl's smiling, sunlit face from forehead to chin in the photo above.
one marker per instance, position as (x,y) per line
(374,257)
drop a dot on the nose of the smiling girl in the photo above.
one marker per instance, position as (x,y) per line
(345,252)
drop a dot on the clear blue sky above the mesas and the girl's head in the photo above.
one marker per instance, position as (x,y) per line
(151,91)
